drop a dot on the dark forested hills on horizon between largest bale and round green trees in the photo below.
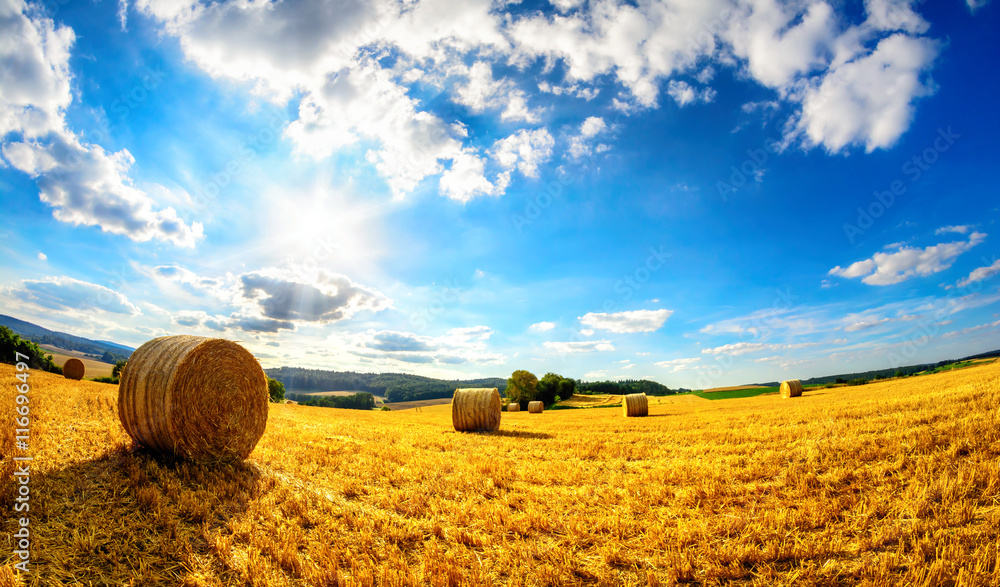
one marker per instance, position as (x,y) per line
(394,387)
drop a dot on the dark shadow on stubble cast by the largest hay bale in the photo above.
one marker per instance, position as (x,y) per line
(92,520)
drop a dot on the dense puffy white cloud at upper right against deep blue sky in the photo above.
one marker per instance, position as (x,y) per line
(870,100)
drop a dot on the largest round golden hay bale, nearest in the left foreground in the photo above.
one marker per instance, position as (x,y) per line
(194,397)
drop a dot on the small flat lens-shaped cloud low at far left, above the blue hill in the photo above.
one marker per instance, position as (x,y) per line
(65,293)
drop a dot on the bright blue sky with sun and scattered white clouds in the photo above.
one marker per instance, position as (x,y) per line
(699,192)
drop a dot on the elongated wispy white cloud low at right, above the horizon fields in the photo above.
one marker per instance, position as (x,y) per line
(907,262)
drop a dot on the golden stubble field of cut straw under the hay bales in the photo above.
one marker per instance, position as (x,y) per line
(891,483)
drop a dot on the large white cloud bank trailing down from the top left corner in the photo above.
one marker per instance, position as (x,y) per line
(84,184)
